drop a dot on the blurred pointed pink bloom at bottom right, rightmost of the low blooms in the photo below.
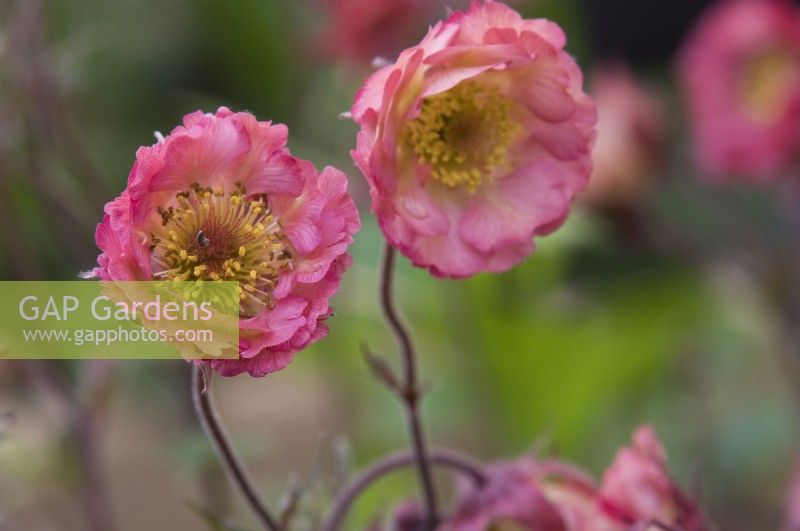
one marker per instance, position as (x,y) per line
(637,490)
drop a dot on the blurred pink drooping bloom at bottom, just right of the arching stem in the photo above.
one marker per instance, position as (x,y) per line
(526,495)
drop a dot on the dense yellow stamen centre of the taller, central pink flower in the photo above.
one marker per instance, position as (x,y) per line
(464,135)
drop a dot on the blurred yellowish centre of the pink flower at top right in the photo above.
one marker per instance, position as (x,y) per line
(767,83)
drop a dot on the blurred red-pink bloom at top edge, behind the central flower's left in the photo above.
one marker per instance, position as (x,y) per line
(361,30)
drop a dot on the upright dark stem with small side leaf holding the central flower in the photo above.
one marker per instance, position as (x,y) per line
(408,389)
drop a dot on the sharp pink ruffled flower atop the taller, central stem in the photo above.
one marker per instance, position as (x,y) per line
(475,140)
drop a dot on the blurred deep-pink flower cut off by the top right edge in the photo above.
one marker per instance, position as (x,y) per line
(740,71)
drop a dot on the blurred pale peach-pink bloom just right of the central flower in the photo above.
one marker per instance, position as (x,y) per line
(630,134)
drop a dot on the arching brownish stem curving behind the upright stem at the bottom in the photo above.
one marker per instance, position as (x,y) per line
(344,500)
